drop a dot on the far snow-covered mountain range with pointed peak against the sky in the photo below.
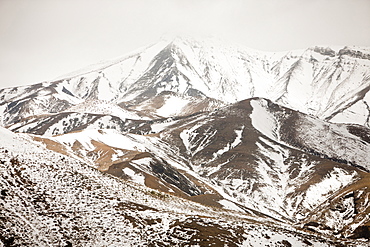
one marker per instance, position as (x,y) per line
(327,83)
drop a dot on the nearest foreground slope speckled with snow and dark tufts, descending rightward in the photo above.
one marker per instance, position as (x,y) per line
(67,203)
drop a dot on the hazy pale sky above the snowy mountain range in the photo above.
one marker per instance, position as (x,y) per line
(43,39)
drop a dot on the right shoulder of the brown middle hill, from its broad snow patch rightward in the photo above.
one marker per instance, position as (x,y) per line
(339,142)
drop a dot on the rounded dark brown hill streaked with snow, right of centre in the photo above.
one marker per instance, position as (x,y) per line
(252,155)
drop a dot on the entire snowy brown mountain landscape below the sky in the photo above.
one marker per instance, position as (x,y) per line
(259,148)
